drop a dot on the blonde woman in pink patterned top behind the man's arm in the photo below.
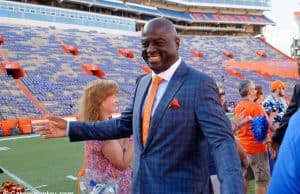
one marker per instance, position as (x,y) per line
(108,159)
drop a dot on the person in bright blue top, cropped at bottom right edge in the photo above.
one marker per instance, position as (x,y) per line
(286,174)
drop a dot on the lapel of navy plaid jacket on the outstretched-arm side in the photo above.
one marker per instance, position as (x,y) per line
(140,97)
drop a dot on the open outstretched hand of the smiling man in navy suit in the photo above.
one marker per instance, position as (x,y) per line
(51,128)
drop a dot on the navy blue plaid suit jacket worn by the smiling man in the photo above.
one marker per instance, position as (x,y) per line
(175,157)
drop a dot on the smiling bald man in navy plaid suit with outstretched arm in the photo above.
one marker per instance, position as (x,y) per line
(187,118)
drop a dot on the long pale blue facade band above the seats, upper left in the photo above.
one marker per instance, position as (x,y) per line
(58,15)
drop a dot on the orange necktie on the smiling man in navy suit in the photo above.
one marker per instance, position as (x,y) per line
(148,107)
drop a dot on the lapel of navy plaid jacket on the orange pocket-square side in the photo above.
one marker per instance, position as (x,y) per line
(172,88)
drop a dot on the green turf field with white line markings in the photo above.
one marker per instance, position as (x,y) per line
(43,164)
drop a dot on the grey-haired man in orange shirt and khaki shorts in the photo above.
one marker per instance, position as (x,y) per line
(257,151)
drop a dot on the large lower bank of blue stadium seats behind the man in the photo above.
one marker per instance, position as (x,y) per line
(56,79)
